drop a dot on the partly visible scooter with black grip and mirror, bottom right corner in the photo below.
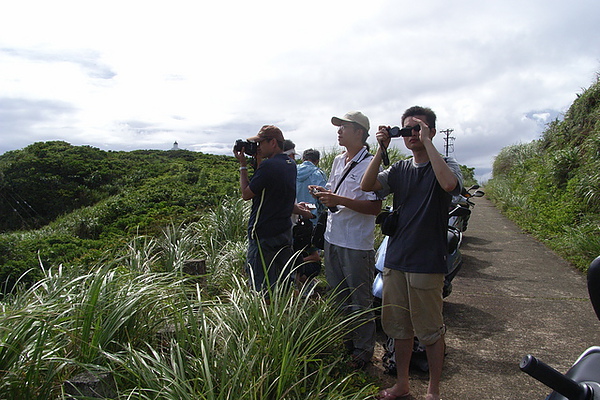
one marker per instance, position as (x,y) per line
(582,380)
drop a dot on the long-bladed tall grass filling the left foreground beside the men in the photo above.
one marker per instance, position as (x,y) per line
(164,336)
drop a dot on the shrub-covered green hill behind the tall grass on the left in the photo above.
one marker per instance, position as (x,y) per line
(70,204)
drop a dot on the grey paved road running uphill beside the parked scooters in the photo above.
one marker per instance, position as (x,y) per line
(513,296)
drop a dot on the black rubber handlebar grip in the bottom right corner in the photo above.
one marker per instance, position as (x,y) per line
(555,380)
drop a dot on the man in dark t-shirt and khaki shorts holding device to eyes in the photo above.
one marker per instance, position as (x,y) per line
(415,262)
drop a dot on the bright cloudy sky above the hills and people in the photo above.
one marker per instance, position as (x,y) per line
(124,75)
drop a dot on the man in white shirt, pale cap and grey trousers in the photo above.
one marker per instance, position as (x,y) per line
(349,237)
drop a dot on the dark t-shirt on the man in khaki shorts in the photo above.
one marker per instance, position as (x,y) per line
(420,241)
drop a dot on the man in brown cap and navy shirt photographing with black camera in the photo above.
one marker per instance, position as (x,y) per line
(273,192)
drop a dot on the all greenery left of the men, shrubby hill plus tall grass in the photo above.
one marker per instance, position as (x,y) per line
(92,265)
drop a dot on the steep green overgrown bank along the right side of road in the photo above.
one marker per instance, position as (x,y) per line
(551,186)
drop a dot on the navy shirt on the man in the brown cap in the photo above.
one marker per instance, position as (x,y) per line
(274,188)
